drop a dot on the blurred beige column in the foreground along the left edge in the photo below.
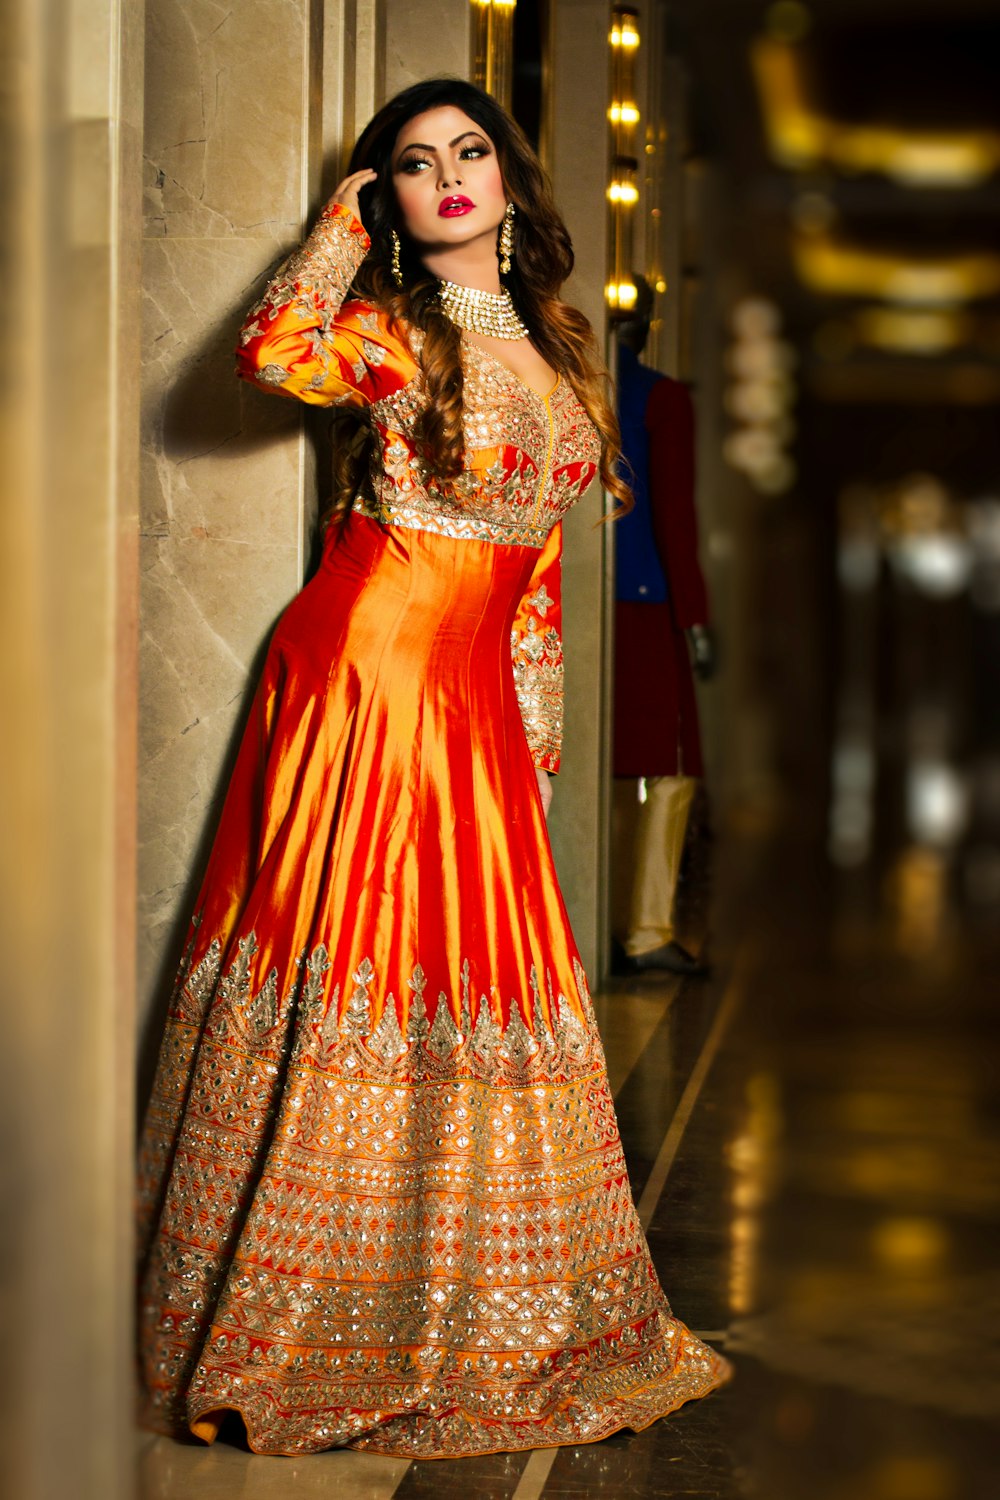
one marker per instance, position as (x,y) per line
(71,125)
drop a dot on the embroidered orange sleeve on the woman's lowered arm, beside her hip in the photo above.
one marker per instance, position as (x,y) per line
(537,655)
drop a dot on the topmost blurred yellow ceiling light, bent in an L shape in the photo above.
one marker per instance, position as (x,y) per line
(803,137)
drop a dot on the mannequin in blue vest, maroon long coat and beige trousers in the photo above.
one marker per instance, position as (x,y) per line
(663,638)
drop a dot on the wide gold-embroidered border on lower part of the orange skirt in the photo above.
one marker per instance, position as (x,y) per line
(376,1237)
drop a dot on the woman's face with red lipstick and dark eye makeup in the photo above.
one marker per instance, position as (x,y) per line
(448,179)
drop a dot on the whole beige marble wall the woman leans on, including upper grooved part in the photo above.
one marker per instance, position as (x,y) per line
(250,113)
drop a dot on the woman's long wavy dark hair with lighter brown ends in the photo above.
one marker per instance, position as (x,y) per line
(542,262)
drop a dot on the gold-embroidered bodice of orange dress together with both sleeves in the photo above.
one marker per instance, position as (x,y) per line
(528,458)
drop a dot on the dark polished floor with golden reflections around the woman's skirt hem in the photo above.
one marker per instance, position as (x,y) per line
(812,1139)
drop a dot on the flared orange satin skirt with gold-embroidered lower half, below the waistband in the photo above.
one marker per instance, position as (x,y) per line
(383,1199)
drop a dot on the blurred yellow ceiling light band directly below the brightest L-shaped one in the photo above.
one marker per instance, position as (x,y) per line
(828,266)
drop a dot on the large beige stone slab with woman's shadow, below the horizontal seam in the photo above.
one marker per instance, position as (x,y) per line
(224,518)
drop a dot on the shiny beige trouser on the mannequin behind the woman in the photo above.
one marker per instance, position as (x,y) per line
(647,848)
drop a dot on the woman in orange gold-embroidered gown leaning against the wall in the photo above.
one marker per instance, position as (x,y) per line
(383,1189)
